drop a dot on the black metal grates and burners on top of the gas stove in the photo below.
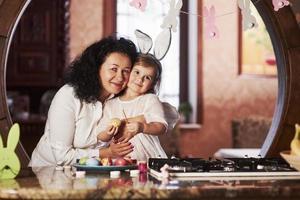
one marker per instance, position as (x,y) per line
(221,165)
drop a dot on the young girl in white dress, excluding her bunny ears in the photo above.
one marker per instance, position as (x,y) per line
(138,99)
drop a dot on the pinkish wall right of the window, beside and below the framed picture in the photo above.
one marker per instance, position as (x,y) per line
(226,94)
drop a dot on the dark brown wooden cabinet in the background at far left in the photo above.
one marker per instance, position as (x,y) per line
(37,54)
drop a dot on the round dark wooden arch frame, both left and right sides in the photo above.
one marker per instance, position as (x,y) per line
(285,36)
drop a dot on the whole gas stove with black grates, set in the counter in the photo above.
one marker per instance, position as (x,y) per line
(227,168)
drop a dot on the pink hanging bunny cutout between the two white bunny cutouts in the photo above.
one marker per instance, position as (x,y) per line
(211,30)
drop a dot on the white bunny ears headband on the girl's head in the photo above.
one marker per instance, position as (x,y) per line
(161,46)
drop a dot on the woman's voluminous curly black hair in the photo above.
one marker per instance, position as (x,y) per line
(83,72)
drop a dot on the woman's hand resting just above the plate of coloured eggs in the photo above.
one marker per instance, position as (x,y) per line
(120,149)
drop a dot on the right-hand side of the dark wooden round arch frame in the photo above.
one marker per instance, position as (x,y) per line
(285,36)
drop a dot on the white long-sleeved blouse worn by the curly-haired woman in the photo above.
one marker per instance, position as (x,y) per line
(70,132)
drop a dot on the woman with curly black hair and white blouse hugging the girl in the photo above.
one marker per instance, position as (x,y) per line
(101,72)
